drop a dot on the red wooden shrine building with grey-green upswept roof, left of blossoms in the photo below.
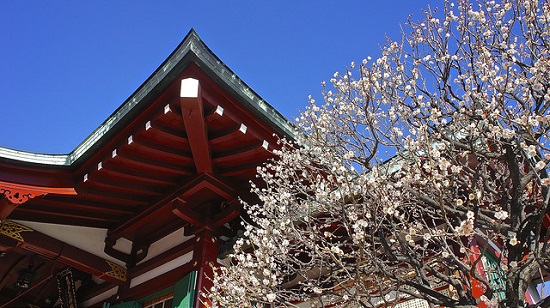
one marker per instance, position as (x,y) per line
(138,212)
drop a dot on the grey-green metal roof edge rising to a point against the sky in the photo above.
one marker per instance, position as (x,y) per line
(191,49)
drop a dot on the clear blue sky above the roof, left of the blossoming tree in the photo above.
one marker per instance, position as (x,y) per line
(65,66)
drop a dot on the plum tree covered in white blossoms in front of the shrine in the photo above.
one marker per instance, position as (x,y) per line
(411,169)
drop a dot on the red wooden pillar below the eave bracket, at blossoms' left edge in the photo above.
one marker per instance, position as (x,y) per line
(206,257)
